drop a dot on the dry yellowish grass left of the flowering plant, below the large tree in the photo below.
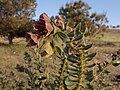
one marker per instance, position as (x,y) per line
(11,55)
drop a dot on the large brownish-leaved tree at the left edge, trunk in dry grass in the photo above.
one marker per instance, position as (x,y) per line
(16,16)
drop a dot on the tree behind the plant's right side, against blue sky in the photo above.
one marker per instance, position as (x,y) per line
(78,11)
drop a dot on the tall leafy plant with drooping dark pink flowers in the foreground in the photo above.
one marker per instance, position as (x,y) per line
(66,51)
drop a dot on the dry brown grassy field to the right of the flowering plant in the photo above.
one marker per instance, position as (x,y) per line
(105,45)
